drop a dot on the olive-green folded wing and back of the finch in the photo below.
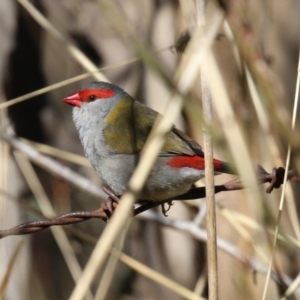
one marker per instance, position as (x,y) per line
(127,134)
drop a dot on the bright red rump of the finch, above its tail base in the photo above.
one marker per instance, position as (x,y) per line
(195,162)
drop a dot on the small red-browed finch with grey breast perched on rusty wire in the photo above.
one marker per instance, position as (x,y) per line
(113,128)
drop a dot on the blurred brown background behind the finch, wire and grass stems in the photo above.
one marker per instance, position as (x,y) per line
(267,36)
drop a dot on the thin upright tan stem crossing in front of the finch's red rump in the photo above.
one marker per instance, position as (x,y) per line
(209,173)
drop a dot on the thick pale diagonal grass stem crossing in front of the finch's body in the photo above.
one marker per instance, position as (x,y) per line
(188,69)
